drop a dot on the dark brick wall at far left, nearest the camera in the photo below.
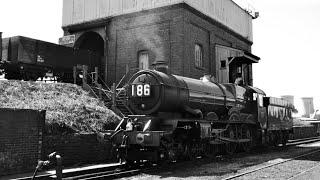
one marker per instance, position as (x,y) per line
(20,140)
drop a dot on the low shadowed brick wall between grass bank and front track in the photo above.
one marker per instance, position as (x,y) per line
(77,148)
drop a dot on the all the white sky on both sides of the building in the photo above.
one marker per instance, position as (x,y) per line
(286,36)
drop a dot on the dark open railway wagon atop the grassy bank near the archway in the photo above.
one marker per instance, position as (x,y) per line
(29,59)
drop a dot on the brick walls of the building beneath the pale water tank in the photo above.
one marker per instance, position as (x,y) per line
(168,33)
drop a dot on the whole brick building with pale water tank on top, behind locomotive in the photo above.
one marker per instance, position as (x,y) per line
(193,37)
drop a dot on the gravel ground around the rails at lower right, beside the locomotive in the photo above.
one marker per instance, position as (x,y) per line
(224,166)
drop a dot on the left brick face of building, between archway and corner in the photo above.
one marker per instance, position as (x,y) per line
(155,31)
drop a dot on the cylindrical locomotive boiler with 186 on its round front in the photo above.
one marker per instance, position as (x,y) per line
(152,92)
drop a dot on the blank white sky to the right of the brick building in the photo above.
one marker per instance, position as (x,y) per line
(286,36)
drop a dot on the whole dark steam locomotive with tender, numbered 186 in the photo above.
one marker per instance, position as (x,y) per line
(183,118)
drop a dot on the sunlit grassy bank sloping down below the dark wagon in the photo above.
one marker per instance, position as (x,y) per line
(69,108)
